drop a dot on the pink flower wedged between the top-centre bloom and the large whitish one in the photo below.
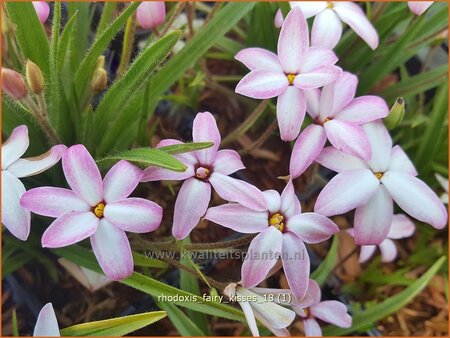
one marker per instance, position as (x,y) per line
(337,116)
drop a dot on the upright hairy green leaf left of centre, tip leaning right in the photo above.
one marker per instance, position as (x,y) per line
(110,109)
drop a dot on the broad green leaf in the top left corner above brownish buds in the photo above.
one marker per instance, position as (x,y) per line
(29,33)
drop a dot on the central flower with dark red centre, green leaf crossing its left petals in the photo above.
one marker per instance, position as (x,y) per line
(205,168)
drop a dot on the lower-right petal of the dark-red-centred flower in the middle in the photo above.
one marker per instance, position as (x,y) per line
(234,190)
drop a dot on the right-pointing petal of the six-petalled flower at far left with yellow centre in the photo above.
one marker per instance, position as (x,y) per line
(134,215)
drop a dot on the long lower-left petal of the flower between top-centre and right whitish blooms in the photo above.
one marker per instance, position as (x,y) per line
(306,149)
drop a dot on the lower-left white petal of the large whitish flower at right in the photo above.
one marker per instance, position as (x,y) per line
(346,191)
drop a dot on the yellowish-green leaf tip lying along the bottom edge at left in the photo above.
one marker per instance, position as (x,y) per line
(114,327)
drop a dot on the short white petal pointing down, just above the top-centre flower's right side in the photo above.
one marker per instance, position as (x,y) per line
(326,30)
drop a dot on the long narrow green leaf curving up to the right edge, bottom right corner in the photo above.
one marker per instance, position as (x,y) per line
(387,307)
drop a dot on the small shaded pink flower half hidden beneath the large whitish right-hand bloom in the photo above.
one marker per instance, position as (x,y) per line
(401,227)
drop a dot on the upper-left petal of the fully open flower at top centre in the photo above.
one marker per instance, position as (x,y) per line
(259,58)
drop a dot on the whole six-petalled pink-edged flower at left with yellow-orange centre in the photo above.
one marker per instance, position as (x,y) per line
(95,208)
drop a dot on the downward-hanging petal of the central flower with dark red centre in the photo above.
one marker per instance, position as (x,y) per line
(191,204)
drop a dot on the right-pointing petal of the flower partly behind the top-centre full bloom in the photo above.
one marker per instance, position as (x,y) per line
(364,109)
